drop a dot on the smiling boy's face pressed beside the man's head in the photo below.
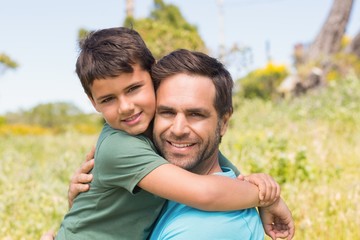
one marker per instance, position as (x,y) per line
(127,102)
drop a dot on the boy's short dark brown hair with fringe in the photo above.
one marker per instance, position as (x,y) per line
(109,53)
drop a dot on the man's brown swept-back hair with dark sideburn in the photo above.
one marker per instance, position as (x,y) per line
(197,63)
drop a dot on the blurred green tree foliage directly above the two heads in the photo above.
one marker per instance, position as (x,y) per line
(166,30)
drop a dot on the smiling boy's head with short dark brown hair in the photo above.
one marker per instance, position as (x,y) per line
(114,68)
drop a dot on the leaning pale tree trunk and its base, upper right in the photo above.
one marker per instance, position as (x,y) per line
(325,55)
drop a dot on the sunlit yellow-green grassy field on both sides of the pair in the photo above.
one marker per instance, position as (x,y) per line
(311,145)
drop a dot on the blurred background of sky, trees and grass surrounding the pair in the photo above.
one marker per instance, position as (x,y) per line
(296,62)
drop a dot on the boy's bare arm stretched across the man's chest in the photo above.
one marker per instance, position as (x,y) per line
(206,192)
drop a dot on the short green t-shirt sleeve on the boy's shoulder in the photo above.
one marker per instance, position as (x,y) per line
(123,160)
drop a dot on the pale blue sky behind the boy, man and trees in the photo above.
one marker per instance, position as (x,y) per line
(40,35)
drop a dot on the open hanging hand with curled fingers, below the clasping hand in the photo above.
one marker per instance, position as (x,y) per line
(277,220)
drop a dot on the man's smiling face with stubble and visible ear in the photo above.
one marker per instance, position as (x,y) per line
(187,129)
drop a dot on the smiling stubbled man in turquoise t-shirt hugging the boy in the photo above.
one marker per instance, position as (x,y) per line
(194,99)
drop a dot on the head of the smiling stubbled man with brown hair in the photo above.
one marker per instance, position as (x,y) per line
(194,104)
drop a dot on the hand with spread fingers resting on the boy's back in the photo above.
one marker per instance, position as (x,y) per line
(81,178)
